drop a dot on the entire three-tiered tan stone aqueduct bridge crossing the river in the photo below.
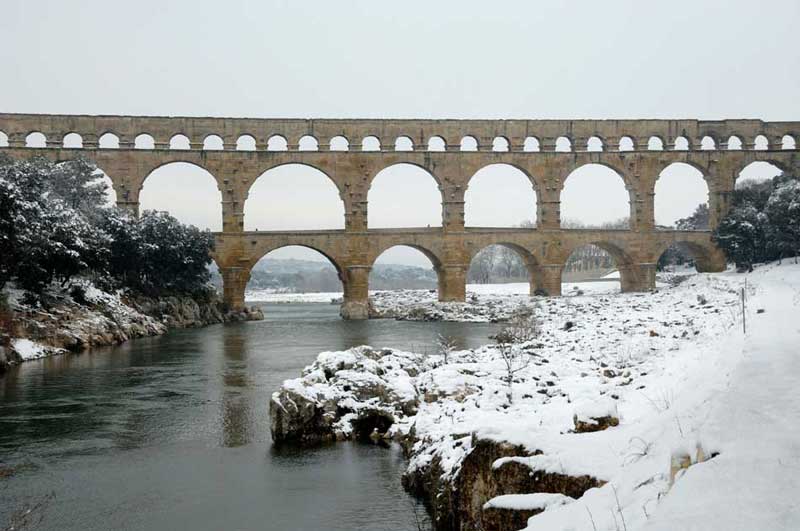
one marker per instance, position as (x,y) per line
(451,247)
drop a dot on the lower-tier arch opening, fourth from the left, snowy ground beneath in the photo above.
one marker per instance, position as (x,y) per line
(594,264)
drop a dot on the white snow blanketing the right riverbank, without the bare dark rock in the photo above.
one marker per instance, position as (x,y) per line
(709,433)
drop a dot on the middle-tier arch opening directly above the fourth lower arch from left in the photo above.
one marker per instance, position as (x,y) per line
(595,195)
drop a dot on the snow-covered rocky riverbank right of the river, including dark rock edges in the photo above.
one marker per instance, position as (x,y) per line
(619,404)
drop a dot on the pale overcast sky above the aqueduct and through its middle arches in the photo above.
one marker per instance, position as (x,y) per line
(459,59)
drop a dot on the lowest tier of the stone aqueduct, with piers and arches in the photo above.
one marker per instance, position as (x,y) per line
(545,254)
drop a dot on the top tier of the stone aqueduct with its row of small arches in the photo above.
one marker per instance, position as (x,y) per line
(407,135)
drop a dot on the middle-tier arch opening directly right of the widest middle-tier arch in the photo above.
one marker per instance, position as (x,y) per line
(404,195)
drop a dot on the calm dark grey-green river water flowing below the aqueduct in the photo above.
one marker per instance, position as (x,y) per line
(172,433)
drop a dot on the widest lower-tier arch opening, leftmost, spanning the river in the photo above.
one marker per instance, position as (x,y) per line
(299,267)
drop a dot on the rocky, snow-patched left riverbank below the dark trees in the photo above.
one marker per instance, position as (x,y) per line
(80,317)
